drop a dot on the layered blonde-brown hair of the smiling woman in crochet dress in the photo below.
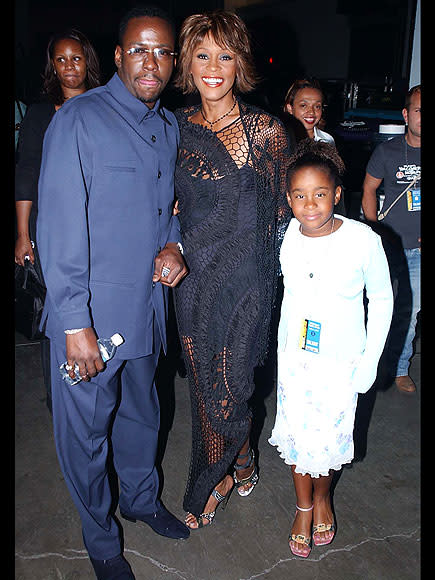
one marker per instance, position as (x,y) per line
(229,32)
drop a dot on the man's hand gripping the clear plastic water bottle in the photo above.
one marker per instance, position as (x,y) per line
(82,348)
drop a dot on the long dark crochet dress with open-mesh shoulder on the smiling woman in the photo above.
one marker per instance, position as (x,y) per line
(230,186)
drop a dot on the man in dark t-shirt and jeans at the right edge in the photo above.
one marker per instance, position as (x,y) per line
(397,162)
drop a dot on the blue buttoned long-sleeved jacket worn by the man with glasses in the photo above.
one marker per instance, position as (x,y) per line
(106,191)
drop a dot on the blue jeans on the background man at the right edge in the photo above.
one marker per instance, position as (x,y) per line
(405,278)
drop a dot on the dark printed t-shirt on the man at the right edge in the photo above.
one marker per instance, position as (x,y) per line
(397,164)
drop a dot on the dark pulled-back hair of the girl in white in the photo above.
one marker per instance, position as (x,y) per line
(310,153)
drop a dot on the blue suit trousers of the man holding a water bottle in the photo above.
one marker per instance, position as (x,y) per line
(87,420)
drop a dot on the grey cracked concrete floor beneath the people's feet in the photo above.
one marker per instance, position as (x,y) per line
(376,500)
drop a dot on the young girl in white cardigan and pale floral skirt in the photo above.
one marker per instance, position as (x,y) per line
(327,352)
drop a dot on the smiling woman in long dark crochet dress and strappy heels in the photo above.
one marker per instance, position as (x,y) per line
(231,203)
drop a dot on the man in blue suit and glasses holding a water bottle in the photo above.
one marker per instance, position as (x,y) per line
(110,247)
